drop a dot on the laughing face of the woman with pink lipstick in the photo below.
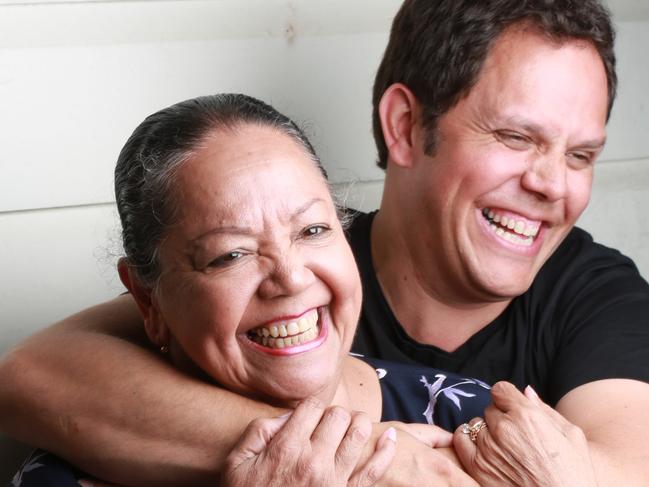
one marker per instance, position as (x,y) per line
(259,286)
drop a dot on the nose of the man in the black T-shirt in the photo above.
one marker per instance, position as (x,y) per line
(546,176)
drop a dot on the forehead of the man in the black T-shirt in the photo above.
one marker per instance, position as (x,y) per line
(523,68)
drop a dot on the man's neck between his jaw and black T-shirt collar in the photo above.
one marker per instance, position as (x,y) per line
(428,317)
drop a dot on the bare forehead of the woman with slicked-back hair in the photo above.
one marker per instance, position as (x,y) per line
(238,176)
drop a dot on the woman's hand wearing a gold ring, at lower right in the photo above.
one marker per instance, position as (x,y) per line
(526,442)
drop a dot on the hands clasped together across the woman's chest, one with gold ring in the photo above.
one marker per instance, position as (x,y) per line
(525,442)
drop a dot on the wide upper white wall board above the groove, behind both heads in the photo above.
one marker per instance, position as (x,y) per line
(76,77)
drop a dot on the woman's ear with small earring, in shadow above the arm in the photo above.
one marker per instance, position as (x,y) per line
(155,327)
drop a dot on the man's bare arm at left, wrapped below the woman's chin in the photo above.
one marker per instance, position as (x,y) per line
(130,417)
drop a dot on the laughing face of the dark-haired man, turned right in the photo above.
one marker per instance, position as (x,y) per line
(512,168)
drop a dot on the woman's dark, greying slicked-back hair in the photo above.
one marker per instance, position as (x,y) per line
(159,146)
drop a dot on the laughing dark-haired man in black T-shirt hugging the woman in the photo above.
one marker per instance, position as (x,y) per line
(488,118)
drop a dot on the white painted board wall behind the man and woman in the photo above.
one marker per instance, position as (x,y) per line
(77,76)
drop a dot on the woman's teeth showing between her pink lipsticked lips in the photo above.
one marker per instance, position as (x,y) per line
(287,334)
